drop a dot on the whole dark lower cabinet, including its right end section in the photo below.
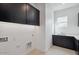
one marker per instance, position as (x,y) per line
(66,42)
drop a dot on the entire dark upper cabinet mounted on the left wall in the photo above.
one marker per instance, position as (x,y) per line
(21,13)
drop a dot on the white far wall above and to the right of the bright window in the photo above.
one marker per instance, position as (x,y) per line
(72,13)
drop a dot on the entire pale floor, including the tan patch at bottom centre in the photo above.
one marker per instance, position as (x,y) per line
(55,50)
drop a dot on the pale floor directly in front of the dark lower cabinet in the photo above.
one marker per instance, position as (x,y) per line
(55,50)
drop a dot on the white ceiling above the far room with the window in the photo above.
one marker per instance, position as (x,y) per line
(60,6)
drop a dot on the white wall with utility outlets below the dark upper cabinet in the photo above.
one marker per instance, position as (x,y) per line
(18,37)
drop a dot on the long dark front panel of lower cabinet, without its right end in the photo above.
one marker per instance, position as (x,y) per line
(64,41)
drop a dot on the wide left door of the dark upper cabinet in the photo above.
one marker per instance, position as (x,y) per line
(12,12)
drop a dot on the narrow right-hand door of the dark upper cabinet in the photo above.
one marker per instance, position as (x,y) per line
(32,15)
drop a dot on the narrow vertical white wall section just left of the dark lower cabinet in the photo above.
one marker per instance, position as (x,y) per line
(48,25)
